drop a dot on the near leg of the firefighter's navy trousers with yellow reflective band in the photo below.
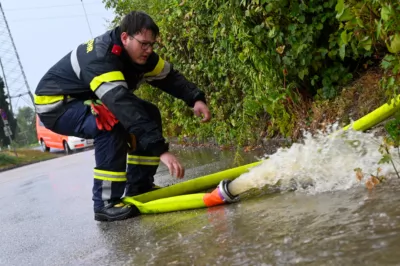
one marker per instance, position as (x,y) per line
(110,151)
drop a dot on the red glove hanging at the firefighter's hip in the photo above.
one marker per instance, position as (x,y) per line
(105,120)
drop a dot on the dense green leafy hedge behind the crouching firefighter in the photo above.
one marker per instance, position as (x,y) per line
(254,58)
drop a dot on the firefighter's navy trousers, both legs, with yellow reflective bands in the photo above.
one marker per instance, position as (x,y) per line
(117,172)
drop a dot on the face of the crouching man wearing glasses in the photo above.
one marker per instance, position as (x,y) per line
(139,46)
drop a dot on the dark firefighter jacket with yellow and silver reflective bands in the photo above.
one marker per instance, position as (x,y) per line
(102,69)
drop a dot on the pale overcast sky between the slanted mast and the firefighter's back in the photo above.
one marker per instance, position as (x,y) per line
(45,30)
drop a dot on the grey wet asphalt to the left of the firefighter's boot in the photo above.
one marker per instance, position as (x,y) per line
(46,215)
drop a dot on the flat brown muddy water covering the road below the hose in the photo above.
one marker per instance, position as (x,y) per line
(339,228)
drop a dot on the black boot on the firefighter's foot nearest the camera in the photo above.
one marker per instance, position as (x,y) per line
(116,211)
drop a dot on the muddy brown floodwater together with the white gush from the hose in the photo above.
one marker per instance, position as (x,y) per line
(330,218)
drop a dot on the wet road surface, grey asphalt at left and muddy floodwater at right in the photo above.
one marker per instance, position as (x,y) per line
(47,218)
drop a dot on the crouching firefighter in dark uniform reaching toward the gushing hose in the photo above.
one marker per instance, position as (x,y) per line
(89,94)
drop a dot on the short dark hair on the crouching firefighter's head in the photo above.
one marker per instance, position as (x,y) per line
(136,21)
